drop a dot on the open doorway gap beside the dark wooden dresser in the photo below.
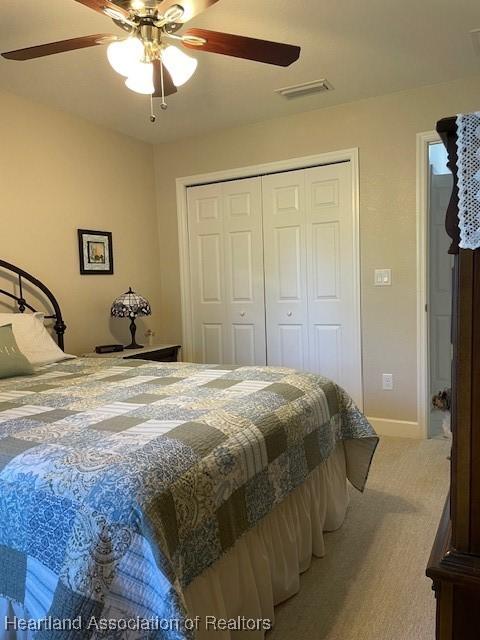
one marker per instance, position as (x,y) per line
(439,285)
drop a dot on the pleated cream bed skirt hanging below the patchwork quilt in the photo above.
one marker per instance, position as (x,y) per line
(263,568)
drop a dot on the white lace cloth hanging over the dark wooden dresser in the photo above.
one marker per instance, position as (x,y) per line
(468,146)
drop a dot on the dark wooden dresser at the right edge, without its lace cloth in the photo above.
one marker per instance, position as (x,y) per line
(454,564)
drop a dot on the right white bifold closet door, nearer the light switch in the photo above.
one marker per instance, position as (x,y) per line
(310,273)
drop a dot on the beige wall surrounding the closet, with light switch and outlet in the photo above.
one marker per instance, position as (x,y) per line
(384,129)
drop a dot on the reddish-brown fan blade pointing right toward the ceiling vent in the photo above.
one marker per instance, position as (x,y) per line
(227,44)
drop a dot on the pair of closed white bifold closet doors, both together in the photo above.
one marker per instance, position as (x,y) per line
(273,273)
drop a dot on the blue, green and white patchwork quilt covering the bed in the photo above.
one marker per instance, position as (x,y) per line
(122,480)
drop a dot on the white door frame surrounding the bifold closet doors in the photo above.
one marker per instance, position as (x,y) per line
(292,164)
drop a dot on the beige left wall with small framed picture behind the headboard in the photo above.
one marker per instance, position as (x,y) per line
(59,173)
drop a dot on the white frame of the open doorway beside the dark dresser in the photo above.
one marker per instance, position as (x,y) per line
(424,140)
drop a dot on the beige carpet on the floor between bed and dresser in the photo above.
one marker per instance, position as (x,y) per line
(371,585)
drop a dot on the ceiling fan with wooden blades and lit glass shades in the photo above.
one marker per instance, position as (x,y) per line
(147,56)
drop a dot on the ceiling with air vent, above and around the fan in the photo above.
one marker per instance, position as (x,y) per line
(363,47)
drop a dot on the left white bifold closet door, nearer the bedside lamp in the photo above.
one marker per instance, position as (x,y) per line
(226,269)
